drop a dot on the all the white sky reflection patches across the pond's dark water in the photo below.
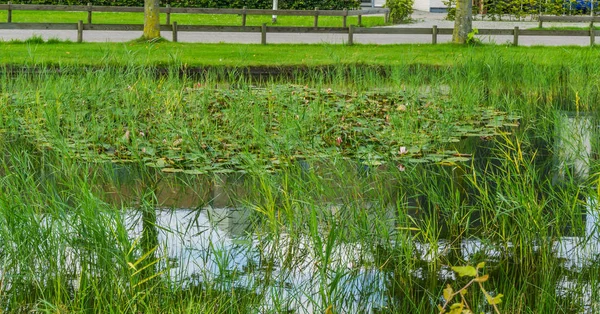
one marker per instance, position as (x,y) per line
(201,250)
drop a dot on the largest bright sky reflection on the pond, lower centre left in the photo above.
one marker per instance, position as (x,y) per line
(202,250)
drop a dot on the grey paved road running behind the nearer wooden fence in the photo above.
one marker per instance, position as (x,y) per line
(422,19)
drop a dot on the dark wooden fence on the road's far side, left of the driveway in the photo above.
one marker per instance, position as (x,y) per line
(244,12)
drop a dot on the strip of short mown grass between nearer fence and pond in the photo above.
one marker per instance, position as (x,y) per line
(187,54)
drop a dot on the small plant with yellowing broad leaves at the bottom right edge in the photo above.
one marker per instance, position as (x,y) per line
(462,306)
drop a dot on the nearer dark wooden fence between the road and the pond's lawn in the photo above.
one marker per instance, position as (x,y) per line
(351,31)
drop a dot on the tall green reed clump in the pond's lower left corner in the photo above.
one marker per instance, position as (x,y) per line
(64,247)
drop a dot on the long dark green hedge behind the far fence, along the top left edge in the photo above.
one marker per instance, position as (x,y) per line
(251,4)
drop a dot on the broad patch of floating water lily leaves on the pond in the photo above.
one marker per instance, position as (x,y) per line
(183,126)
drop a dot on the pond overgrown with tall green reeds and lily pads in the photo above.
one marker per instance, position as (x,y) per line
(348,225)
